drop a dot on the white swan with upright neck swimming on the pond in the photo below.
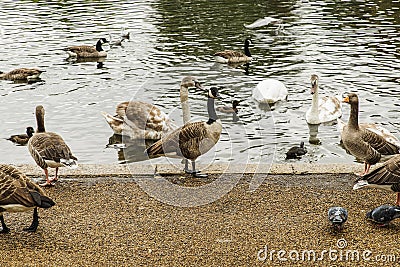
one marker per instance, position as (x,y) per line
(325,109)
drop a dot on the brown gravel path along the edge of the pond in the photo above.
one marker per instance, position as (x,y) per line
(110,221)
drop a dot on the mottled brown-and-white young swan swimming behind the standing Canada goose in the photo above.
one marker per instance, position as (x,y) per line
(141,120)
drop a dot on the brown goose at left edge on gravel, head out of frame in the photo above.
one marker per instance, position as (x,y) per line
(18,194)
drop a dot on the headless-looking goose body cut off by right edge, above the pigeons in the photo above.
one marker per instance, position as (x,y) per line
(385,177)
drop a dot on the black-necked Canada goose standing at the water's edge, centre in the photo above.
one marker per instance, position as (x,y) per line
(192,139)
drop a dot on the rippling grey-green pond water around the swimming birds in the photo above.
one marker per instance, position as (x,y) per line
(354,46)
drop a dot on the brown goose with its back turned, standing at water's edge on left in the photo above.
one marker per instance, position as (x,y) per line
(49,149)
